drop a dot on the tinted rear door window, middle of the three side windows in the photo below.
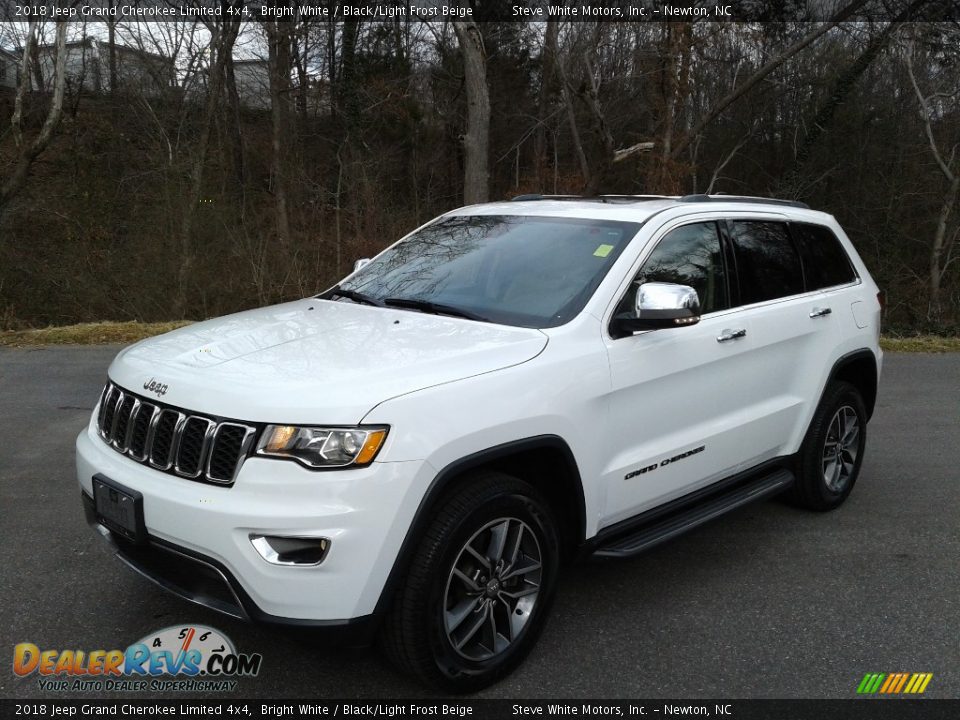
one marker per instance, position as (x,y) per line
(767,262)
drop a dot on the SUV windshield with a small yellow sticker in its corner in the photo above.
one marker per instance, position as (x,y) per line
(532,272)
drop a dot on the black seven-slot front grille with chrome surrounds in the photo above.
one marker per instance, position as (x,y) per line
(189,445)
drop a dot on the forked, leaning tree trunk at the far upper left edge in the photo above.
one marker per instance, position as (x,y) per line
(31,151)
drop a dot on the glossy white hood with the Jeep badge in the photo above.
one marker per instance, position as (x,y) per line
(315,361)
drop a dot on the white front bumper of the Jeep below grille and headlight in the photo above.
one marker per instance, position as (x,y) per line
(199,534)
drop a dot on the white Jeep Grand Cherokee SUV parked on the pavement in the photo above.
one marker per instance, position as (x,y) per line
(415,452)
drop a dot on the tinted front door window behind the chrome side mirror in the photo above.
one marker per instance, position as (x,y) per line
(689,255)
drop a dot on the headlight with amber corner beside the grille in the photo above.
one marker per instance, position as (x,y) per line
(320,447)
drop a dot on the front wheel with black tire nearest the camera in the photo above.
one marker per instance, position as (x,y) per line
(424,623)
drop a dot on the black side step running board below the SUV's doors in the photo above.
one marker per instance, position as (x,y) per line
(661,528)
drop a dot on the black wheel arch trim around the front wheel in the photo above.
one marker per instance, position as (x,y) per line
(538,460)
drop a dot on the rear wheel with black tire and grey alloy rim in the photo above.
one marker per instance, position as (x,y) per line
(821,484)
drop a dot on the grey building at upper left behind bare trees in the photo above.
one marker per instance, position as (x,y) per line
(88,67)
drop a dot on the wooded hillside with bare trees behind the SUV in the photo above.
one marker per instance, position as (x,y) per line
(182,198)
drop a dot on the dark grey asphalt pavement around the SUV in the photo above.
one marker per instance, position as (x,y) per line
(769,602)
